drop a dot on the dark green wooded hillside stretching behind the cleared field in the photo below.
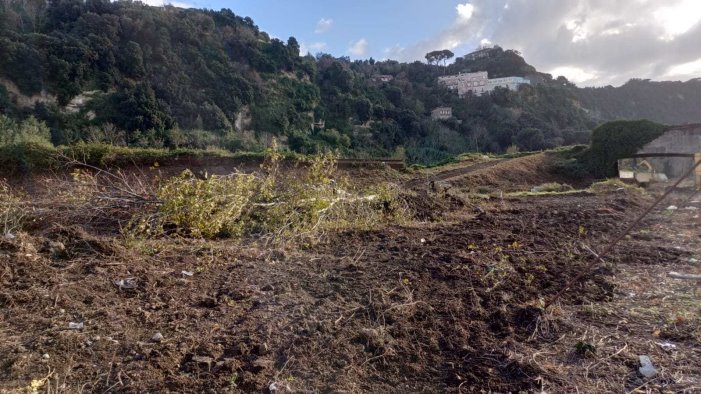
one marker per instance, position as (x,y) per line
(126,73)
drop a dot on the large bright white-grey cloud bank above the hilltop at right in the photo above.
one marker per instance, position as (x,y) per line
(591,42)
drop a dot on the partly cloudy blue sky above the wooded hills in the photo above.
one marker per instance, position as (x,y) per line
(591,42)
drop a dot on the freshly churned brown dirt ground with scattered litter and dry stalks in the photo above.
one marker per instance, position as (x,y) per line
(448,303)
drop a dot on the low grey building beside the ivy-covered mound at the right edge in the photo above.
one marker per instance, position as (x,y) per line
(666,157)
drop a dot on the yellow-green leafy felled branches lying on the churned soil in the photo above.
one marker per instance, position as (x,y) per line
(266,203)
